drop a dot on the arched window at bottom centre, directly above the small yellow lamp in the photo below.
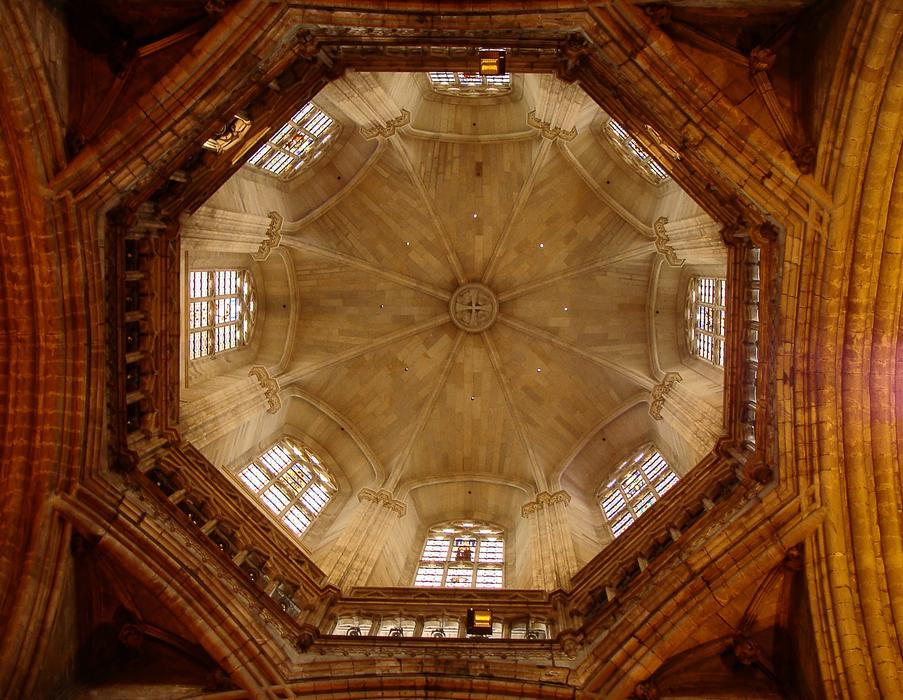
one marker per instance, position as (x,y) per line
(462,554)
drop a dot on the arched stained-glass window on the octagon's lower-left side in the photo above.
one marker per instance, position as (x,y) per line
(292,482)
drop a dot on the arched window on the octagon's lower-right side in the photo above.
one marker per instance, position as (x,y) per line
(637,483)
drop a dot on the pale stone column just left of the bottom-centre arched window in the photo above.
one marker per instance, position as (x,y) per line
(361,543)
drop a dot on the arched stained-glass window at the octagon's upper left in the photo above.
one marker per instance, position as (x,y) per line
(300,142)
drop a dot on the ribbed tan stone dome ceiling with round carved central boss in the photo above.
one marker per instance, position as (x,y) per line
(474,298)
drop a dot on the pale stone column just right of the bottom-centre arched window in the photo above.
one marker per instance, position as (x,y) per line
(554,561)
